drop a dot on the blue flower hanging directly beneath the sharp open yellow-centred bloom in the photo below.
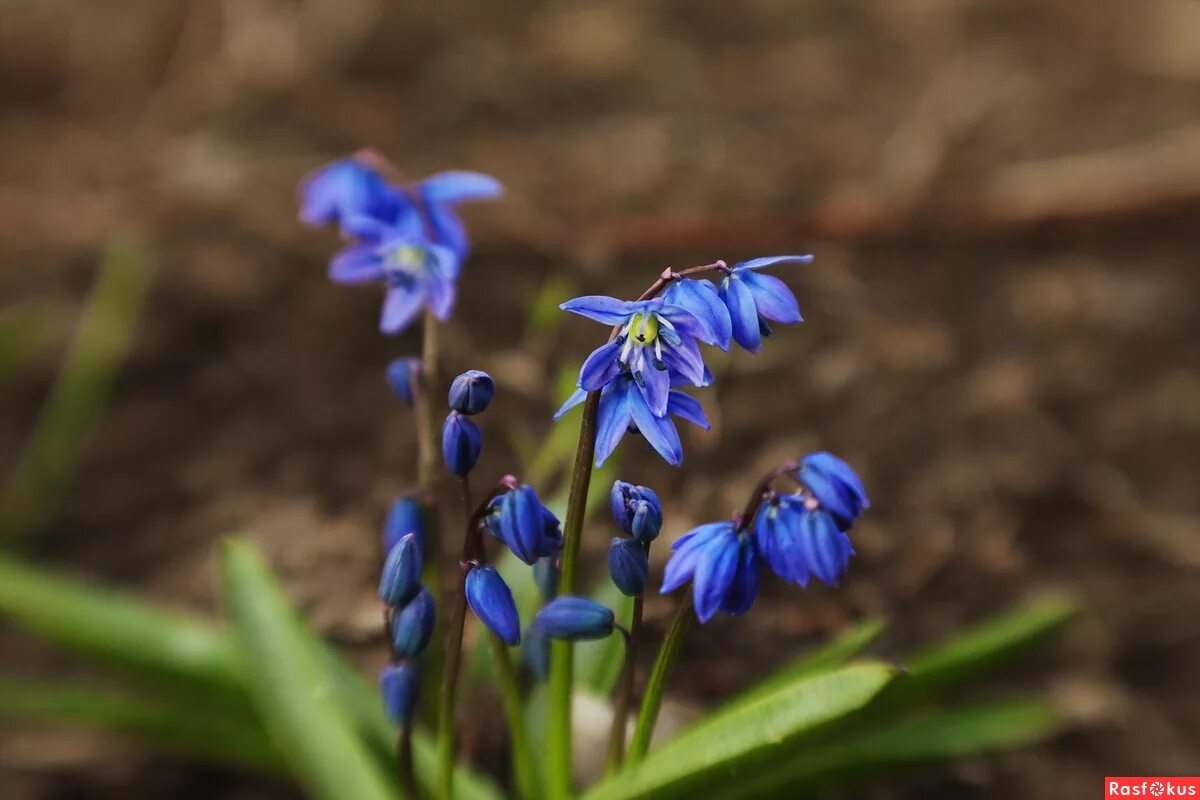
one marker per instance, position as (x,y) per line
(625,410)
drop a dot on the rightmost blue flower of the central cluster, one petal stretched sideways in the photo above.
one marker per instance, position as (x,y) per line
(754,298)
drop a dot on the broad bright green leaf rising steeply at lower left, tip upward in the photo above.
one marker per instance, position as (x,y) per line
(291,688)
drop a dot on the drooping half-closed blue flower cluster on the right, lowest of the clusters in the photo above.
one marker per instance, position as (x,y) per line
(799,536)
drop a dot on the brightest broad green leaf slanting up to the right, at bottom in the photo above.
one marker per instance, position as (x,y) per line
(722,749)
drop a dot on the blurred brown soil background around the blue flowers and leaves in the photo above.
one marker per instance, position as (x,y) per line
(1001,322)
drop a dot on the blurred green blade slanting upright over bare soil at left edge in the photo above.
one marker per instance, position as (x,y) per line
(80,396)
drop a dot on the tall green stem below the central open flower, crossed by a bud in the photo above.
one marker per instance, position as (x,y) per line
(559,756)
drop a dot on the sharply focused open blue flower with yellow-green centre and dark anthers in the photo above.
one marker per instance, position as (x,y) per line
(655,338)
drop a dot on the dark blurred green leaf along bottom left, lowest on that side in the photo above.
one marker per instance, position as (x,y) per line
(164,724)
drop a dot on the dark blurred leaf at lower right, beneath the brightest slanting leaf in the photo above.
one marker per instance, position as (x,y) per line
(933,738)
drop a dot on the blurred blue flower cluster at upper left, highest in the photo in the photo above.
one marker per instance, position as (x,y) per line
(406,237)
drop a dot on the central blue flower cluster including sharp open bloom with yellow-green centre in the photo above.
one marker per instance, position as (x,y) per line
(656,350)
